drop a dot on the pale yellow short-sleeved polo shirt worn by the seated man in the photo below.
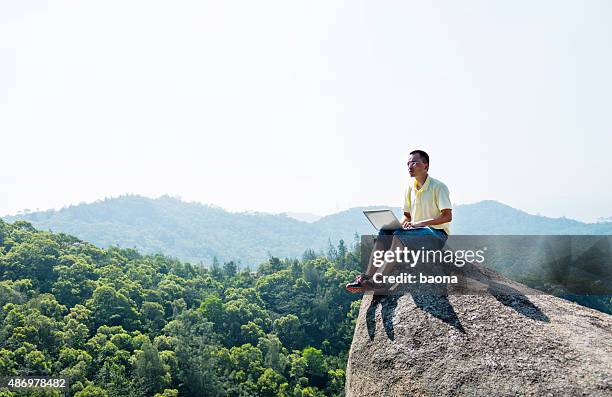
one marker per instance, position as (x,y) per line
(427,202)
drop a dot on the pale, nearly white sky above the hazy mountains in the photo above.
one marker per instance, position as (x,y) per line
(311,106)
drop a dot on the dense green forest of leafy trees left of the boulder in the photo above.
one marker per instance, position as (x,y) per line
(119,323)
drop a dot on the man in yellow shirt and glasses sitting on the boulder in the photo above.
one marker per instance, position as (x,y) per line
(427,214)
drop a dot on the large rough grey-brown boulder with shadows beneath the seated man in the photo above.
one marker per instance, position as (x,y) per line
(490,344)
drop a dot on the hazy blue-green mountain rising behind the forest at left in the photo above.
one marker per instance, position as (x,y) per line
(189,231)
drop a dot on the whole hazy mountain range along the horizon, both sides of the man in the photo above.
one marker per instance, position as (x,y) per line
(197,233)
